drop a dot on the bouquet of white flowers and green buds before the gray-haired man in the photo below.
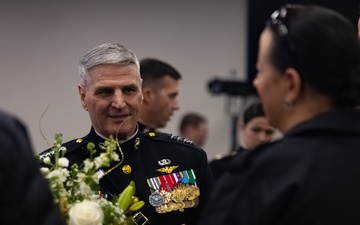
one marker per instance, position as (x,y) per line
(76,189)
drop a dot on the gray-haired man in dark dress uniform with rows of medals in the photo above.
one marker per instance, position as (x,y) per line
(165,168)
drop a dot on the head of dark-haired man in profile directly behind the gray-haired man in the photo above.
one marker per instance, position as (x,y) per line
(160,88)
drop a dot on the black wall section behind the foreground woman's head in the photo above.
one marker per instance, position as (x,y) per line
(260,11)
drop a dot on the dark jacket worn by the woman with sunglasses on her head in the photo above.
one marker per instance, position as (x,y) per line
(312,176)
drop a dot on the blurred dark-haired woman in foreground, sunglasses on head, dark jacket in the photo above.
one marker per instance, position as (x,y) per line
(309,83)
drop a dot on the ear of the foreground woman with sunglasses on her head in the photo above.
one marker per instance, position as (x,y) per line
(293,83)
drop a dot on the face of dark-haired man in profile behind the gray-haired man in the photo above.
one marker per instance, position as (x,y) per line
(164,101)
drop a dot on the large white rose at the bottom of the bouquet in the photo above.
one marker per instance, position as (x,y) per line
(86,213)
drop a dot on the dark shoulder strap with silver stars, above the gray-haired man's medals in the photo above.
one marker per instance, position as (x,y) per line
(160,137)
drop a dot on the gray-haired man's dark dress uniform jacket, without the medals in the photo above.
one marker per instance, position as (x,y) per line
(142,153)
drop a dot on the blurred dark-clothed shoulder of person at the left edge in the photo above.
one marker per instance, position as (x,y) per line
(24,193)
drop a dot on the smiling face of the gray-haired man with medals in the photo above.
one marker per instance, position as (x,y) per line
(112,96)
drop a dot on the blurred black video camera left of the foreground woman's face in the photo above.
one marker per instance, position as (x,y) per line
(231,87)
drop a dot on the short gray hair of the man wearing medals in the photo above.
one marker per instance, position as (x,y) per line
(108,53)
